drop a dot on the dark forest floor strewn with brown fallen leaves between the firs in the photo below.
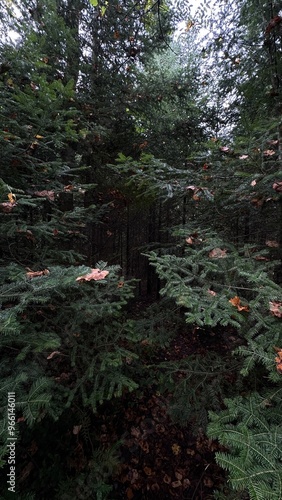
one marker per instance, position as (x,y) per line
(159,458)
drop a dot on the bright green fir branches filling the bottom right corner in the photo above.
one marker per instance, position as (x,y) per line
(251,431)
